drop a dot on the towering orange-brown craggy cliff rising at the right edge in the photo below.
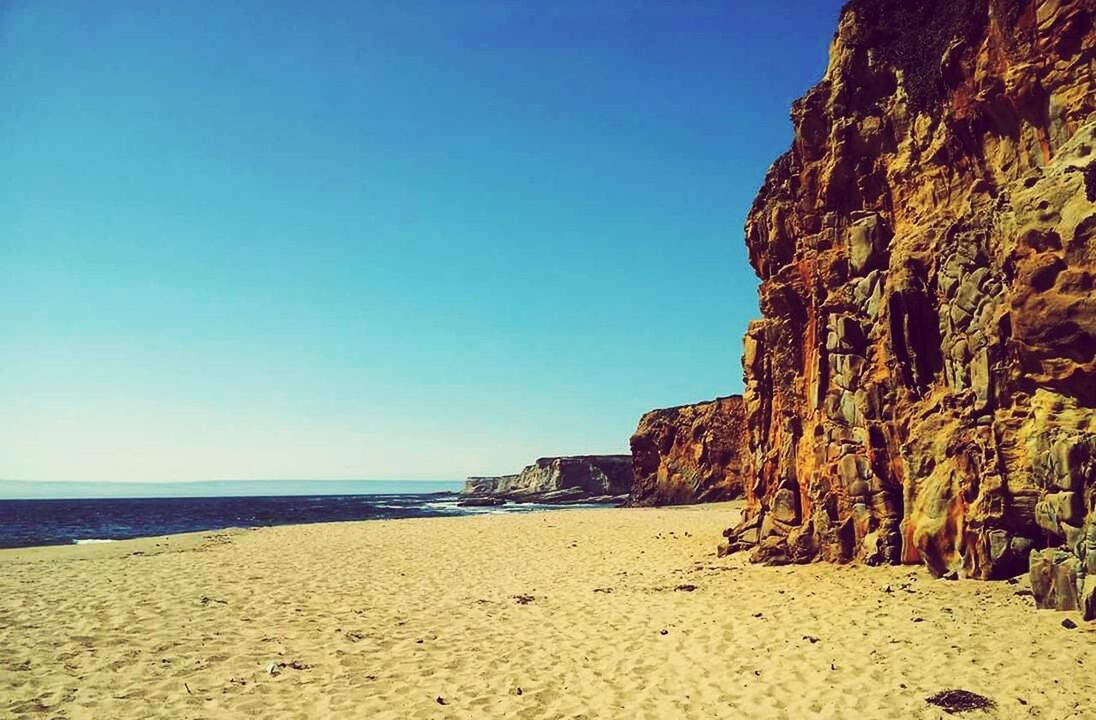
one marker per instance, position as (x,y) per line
(922,385)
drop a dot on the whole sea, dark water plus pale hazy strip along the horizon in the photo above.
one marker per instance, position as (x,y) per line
(37,515)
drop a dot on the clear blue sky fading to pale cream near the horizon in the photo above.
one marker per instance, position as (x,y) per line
(386,239)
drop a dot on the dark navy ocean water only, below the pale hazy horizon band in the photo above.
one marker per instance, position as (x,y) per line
(27,523)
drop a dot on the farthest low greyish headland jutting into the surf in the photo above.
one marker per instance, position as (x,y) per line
(581,478)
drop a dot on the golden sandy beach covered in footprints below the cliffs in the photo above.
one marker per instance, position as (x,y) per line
(577,614)
